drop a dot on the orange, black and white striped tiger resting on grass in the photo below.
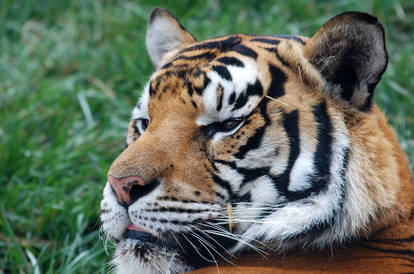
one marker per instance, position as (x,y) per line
(261,154)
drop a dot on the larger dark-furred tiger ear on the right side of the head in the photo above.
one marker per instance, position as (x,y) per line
(349,51)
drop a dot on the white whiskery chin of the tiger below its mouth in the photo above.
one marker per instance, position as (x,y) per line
(141,256)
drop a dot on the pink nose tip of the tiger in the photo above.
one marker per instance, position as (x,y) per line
(123,186)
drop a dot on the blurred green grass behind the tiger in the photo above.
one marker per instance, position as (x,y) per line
(70,73)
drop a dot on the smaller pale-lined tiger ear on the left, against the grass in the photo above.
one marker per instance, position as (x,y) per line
(164,34)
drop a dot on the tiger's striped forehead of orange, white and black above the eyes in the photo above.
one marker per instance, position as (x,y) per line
(219,79)
